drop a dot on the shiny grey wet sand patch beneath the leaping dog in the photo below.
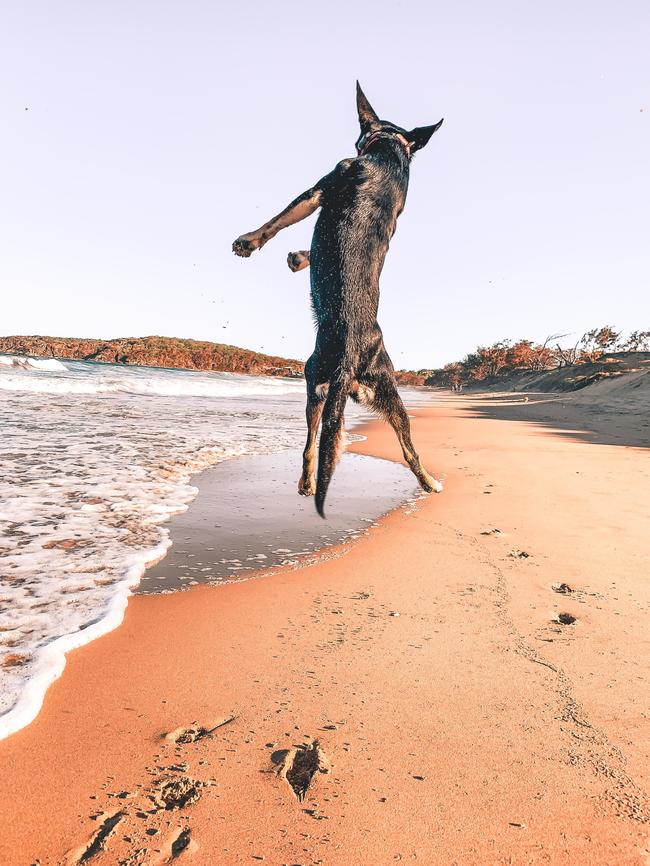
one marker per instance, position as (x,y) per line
(250,518)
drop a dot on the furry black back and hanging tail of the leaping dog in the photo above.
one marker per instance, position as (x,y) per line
(349,246)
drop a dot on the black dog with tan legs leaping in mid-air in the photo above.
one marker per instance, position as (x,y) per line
(360,200)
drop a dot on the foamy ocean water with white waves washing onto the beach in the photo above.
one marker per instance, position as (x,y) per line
(95,459)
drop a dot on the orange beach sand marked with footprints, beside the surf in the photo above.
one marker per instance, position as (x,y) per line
(412,697)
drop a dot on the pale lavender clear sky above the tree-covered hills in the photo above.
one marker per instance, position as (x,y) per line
(139,139)
